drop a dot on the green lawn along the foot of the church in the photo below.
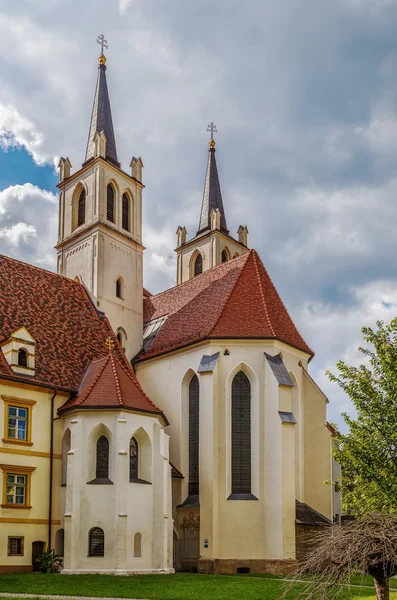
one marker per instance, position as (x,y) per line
(181,586)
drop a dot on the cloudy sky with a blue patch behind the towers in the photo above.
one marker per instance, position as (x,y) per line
(304,93)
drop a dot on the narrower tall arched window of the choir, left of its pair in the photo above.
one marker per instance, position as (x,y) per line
(194,435)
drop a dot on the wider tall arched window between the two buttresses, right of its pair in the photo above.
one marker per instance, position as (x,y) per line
(241,434)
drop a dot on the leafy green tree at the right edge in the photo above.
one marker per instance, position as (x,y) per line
(368,452)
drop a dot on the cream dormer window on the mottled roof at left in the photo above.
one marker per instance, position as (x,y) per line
(19,352)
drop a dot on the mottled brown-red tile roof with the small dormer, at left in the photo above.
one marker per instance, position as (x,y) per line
(69,331)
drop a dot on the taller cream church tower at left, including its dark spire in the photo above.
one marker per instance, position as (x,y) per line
(100,224)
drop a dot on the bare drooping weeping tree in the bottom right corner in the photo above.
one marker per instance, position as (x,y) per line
(367,545)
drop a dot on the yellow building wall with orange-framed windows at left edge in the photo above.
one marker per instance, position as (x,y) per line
(31,523)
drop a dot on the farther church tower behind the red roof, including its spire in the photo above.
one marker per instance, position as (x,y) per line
(212,244)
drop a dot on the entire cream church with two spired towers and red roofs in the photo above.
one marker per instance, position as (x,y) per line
(152,433)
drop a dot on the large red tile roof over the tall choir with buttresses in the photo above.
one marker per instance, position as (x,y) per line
(234,300)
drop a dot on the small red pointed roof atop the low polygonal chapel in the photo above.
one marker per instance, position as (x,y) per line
(107,383)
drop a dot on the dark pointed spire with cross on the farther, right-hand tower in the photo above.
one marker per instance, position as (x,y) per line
(212,197)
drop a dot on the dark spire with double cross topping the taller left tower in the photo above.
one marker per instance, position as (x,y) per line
(101,118)
